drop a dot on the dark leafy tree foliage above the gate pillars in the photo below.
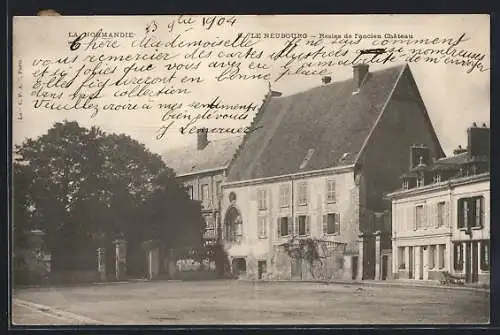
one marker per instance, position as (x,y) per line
(84,188)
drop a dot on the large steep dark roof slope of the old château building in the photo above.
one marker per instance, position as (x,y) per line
(320,128)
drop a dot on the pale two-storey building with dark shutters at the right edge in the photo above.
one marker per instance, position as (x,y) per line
(440,214)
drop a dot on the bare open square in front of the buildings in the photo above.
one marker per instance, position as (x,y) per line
(238,302)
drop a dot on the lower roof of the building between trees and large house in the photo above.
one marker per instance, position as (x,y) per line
(189,160)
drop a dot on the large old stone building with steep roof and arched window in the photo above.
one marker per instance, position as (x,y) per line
(312,176)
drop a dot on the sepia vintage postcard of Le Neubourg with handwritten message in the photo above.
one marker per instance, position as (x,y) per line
(233,170)
